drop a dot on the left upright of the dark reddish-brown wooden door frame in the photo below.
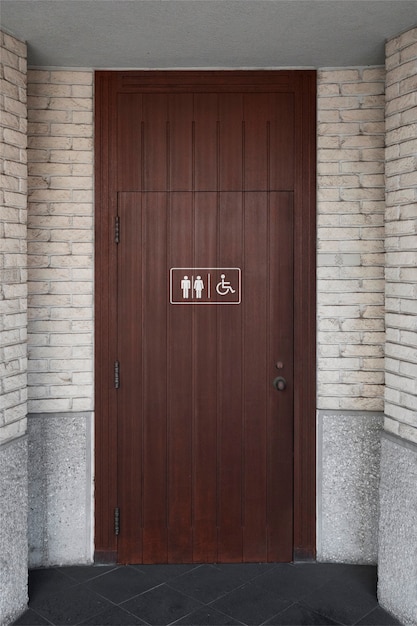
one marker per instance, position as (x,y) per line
(105,313)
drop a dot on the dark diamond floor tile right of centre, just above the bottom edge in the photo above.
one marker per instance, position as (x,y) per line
(251,604)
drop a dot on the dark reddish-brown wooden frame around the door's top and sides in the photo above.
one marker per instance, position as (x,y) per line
(303,84)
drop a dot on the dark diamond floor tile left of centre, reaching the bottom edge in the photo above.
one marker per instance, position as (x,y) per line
(161,605)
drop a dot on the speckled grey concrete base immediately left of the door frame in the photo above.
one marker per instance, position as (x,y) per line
(60,489)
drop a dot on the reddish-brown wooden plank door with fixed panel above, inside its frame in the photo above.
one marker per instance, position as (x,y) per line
(206,187)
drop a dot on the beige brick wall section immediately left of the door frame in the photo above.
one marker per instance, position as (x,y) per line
(60,240)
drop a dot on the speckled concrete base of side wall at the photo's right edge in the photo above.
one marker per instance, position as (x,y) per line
(397,557)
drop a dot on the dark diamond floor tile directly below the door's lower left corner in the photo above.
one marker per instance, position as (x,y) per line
(121,584)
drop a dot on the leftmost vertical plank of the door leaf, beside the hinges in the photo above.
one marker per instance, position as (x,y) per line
(130,452)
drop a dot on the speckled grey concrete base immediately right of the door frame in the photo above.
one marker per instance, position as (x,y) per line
(348,455)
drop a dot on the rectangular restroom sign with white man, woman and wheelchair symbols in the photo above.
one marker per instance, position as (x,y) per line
(205,285)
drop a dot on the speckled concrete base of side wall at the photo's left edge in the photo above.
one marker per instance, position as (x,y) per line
(13,529)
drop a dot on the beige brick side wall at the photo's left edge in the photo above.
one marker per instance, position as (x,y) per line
(13,218)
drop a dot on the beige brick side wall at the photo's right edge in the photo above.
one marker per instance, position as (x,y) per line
(401,236)
